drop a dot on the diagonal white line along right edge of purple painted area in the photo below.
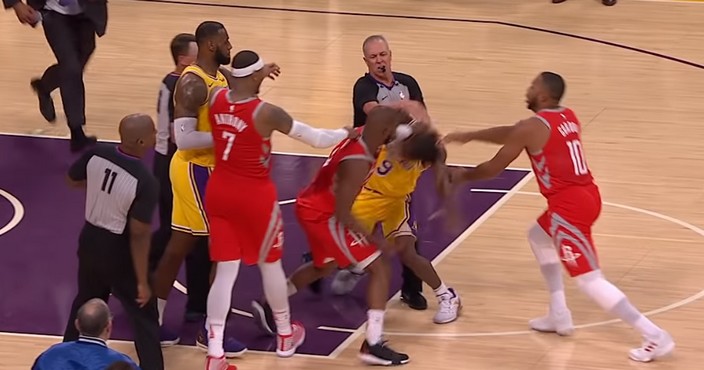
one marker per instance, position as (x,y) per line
(490,212)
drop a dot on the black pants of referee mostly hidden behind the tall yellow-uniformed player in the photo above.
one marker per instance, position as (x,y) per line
(197,262)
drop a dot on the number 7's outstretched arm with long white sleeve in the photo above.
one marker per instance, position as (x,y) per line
(271,118)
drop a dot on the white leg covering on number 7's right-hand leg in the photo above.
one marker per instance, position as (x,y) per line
(276,290)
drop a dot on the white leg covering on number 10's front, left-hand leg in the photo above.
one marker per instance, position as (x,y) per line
(546,254)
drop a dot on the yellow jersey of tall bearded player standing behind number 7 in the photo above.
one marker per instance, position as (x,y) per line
(202,157)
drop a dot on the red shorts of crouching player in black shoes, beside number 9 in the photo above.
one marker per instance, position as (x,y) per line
(330,241)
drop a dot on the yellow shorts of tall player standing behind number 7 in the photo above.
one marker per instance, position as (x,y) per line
(188,183)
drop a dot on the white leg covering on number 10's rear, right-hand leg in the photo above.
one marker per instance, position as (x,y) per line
(612,300)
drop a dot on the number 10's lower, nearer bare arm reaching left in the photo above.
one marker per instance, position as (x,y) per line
(521,136)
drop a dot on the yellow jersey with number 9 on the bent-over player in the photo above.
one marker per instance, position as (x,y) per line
(392,177)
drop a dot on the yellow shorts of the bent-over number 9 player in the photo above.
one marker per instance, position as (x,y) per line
(393,213)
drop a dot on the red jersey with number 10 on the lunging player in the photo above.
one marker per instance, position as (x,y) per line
(561,163)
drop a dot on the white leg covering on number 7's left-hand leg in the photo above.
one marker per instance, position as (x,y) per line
(219,301)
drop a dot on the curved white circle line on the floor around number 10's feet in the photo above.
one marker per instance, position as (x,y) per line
(515,191)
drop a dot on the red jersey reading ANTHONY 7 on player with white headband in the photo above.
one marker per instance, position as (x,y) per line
(240,150)
